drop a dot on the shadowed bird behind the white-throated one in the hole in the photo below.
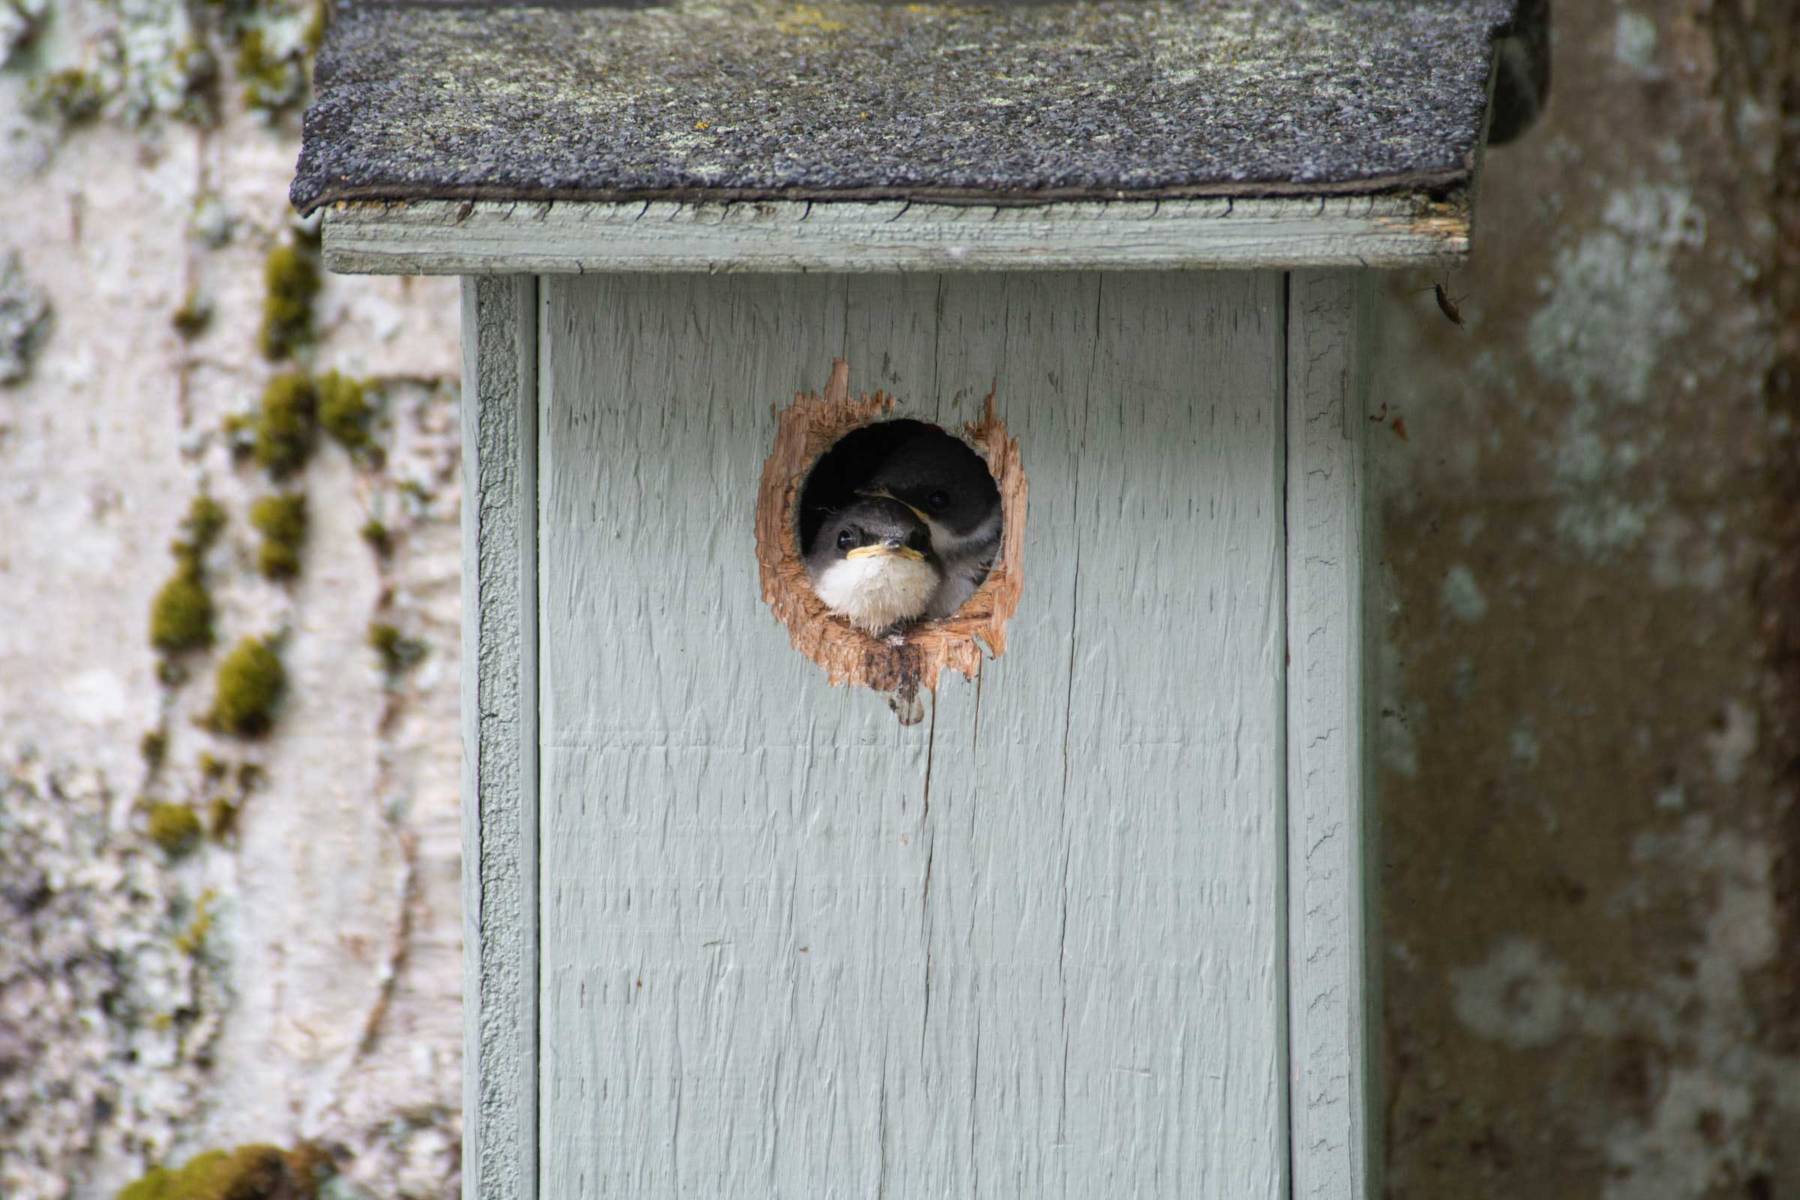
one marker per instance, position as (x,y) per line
(949,488)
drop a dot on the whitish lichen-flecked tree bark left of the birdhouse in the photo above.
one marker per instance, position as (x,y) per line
(319,996)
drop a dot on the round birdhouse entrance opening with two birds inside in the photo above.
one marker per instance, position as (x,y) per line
(899,523)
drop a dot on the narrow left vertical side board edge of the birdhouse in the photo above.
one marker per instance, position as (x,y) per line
(499,739)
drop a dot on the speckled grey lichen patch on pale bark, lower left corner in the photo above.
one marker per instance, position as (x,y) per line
(105,1025)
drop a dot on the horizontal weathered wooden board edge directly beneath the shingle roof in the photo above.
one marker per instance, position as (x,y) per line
(474,238)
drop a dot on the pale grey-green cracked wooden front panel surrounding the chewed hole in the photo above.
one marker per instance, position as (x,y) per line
(1029,947)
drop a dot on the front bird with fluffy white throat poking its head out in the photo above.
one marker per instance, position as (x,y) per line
(872,564)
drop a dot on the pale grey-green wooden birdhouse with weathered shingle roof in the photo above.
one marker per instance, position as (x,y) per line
(1063,891)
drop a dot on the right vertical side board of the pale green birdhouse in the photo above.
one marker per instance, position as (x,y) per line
(1329,875)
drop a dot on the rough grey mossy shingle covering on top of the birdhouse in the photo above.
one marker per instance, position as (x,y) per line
(703,102)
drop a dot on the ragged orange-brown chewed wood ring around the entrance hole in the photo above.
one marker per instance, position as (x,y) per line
(805,433)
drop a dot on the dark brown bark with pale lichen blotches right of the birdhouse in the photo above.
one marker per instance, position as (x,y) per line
(1606,461)
